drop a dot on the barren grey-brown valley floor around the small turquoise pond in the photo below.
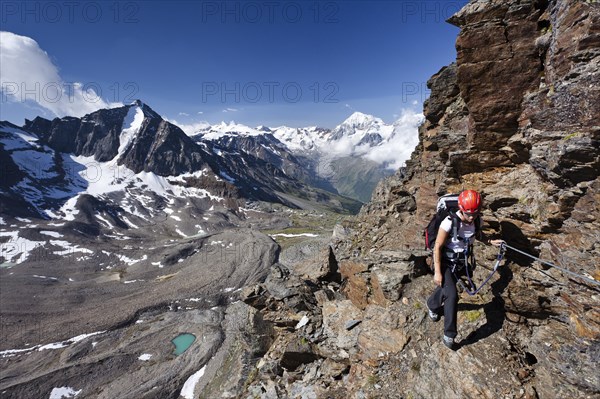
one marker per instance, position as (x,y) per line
(110,313)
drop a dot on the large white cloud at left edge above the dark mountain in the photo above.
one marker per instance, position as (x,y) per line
(29,75)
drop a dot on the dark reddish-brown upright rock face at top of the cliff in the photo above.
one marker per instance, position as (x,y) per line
(497,64)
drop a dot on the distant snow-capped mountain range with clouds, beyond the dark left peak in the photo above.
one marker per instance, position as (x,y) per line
(349,159)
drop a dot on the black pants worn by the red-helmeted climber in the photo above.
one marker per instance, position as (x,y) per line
(446,297)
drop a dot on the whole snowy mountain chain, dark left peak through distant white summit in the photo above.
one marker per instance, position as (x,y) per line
(123,165)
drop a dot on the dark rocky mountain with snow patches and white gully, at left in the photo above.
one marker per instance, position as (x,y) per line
(141,160)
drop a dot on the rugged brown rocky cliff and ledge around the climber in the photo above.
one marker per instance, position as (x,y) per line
(516,118)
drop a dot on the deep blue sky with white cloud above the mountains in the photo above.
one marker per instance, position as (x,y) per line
(295,63)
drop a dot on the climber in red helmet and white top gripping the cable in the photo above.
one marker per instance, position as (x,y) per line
(452,244)
